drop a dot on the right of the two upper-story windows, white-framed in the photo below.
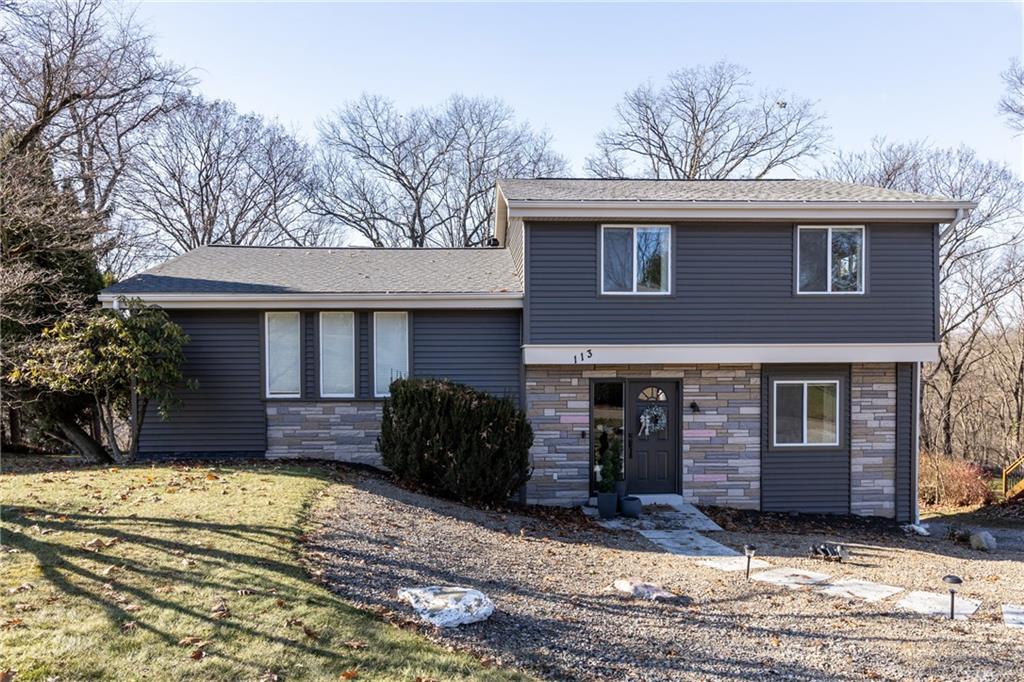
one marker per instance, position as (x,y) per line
(831,261)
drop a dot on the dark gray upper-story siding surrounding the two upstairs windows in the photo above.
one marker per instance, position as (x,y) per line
(733,284)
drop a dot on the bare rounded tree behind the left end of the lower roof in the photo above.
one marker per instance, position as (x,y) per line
(211,176)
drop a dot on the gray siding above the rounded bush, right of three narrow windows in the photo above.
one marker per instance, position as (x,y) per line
(477,348)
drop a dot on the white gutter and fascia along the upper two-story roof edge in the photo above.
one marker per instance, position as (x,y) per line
(942,212)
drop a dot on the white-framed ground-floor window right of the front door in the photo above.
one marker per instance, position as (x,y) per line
(806,413)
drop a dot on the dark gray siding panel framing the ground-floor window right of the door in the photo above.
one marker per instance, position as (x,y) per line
(805,480)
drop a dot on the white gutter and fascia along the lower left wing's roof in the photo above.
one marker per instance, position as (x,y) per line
(405,302)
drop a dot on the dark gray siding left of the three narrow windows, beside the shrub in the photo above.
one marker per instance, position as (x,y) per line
(227,413)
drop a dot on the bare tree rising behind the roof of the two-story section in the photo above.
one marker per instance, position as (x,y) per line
(707,123)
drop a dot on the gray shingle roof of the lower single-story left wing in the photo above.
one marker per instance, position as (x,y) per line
(232,270)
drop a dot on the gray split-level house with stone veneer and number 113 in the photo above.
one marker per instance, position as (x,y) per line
(748,344)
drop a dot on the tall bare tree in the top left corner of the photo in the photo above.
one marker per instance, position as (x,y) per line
(81,82)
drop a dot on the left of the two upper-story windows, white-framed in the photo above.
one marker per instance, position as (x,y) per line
(636,260)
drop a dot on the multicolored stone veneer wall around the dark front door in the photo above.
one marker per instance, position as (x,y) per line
(721,444)
